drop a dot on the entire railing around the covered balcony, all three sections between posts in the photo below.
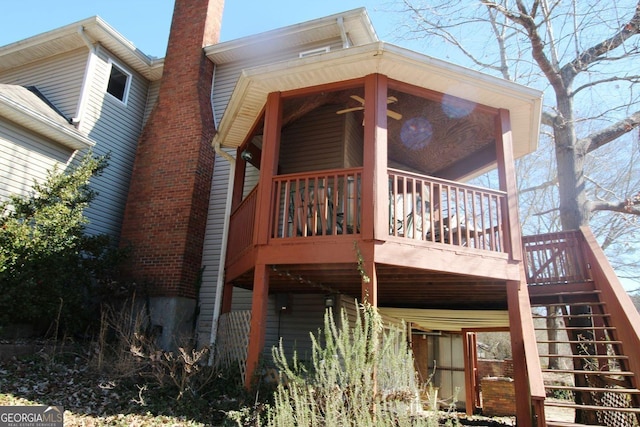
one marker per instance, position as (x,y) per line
(421,208)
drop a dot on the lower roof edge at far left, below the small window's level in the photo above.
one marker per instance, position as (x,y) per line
(30,109)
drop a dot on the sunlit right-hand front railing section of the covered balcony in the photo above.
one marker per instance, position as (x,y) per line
(436,210)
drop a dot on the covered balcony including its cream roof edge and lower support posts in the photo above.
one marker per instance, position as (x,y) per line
(352,178)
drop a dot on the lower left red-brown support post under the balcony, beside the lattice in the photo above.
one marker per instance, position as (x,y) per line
(257,331)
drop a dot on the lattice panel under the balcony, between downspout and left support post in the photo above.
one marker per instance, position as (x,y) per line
(233,340)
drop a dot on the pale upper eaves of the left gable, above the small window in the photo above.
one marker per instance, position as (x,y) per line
(92,30)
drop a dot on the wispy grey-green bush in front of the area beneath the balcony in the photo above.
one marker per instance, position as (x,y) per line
(359,375)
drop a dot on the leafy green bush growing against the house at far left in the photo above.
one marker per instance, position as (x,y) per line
(47,261)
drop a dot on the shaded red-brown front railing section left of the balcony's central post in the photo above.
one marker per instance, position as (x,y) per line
(317,204)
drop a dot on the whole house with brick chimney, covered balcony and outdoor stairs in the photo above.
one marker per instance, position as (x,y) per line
(264,180)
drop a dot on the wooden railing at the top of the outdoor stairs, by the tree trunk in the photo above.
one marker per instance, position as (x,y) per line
(555,258)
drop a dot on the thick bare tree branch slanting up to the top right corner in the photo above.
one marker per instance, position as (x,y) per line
(594,53)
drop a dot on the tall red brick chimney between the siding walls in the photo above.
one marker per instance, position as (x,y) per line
(166,212)
